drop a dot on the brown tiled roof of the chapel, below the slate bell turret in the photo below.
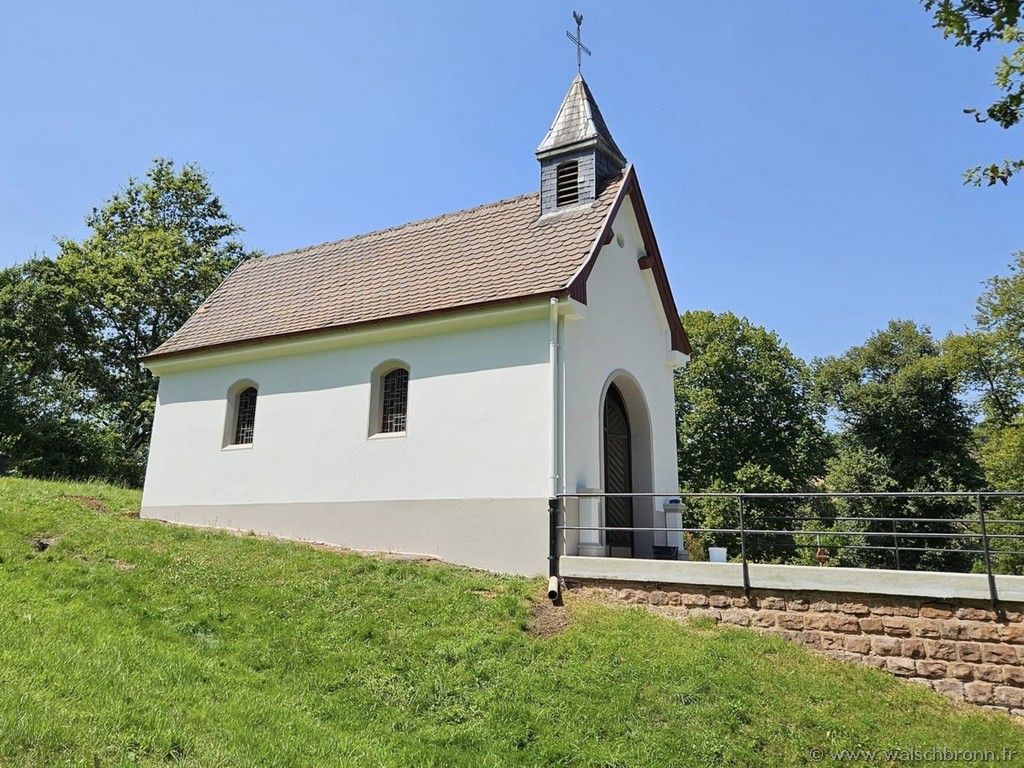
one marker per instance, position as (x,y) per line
(499,252)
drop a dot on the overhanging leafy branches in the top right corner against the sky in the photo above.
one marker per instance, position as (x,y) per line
(976,24)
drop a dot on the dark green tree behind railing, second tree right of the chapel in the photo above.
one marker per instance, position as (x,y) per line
(904,428)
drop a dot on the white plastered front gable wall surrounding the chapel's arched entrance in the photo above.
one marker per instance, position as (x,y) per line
(624,329)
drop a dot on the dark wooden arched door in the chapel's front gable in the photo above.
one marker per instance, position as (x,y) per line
(618,474)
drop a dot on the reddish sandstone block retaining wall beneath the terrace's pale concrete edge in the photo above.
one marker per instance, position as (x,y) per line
(961,649)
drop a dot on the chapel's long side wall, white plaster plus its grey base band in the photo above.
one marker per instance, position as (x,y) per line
(467,483)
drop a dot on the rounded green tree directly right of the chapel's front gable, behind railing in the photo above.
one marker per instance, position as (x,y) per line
(745,422)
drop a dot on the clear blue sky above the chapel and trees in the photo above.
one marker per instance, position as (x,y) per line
(801,159)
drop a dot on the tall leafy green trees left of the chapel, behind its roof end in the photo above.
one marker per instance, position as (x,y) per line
(73,329)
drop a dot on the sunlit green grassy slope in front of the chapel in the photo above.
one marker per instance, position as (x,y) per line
(130,642)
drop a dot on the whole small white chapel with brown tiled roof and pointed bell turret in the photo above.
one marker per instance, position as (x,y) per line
(428,389)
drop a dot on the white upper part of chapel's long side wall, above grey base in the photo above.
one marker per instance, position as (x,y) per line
(479,425)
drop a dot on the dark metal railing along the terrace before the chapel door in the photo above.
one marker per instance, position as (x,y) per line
(911,540)
